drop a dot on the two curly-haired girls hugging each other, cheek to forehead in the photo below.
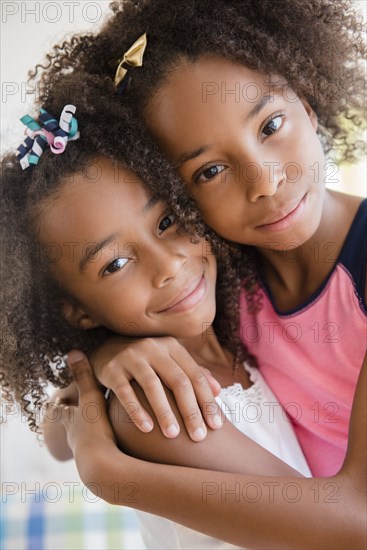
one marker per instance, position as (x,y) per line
(167,217)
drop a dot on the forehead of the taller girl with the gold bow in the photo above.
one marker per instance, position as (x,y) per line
(200,99)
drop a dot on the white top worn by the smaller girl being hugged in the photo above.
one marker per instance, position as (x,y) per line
(256,412)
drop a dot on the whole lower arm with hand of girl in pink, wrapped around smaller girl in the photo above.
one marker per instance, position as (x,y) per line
(246,510)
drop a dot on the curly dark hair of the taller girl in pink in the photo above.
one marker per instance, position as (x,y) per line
(318,46)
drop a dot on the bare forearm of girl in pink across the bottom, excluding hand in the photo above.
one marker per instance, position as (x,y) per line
(249,511)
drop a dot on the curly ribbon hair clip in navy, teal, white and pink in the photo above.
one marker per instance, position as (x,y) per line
(49,133)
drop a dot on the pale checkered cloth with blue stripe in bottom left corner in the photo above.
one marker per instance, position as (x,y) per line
(52,520)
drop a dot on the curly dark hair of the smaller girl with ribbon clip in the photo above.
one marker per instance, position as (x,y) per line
(35,333)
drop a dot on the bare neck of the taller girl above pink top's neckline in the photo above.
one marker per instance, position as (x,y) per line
(293,282)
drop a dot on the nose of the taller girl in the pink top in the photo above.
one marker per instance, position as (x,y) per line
(262,179)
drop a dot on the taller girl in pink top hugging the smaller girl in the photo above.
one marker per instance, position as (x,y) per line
(246,98)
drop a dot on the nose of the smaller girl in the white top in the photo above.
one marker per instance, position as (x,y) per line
(166,265)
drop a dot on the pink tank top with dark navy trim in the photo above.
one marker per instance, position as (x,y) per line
(311,356)
